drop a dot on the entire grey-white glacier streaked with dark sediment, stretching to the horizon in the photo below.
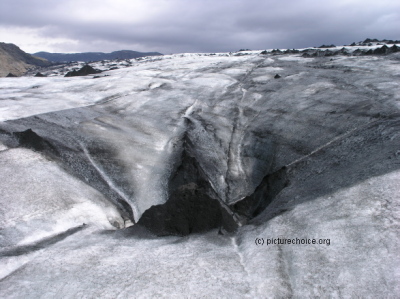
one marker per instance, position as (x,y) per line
(157,179)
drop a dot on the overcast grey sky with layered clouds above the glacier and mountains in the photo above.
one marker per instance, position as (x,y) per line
(176,26)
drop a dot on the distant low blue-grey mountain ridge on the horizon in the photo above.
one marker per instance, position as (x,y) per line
(93,56)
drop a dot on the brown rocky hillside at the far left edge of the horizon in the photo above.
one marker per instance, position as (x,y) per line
(15,61)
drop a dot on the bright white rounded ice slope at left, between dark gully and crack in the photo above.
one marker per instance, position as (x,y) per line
(38,199)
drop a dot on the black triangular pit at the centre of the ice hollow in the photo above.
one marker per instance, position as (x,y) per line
(192,204)
